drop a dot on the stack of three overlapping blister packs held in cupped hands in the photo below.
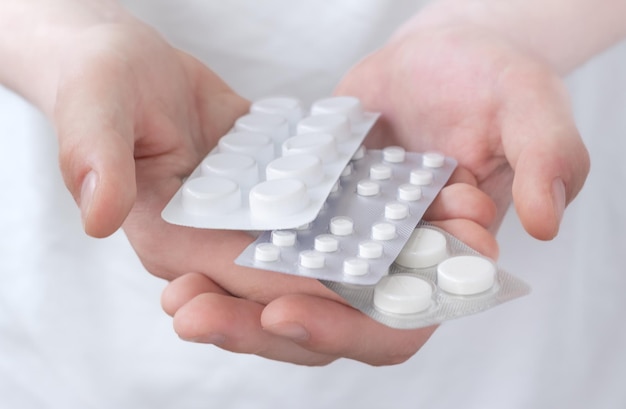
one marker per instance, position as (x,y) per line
(327,208)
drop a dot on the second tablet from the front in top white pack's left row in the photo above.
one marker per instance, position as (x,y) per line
(242,169)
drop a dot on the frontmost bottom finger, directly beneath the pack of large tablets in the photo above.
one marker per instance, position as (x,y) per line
(335,329)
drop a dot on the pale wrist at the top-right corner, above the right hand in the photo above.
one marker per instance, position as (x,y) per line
(563,33)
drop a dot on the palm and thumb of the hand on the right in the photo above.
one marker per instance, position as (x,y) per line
(502,112)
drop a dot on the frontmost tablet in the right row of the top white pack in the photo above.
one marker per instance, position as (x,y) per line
(274,199)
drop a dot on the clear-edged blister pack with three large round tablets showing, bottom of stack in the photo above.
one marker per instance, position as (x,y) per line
(435,278)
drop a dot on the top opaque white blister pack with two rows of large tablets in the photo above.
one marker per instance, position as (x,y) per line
(276,167)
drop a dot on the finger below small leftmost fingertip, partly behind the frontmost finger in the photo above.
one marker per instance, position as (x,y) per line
(233,324)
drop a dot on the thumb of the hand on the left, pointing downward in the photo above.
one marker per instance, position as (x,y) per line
(96,157)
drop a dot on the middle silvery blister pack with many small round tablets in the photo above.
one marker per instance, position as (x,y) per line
(381,197)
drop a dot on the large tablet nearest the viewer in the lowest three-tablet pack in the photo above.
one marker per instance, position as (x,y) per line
(402,294)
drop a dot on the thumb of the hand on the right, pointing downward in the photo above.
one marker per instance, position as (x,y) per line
(544,147)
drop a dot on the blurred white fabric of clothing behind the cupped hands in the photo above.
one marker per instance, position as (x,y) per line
(80,323)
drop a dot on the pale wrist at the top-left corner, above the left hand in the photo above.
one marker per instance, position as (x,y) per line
(35,36)
